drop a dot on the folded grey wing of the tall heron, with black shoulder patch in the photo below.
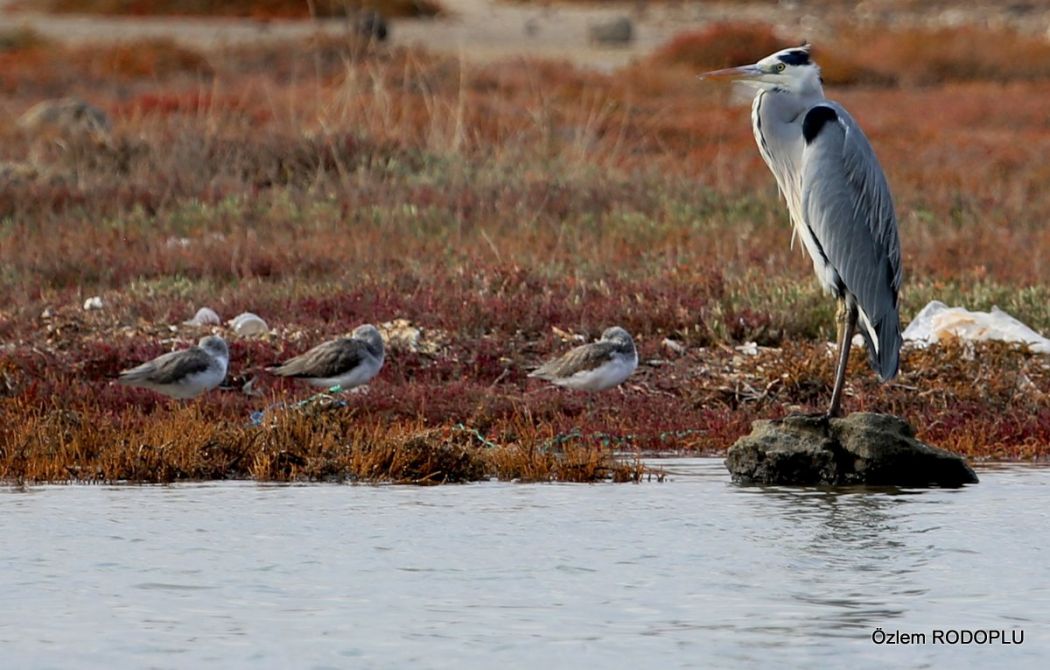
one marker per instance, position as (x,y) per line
(850,212)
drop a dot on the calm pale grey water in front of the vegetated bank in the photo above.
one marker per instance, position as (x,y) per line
(691,573)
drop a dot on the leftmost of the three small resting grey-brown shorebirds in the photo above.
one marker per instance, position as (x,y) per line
(183,374)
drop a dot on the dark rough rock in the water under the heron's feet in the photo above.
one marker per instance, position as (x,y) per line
(860,449)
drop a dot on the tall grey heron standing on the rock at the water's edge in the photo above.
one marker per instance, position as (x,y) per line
(838,200)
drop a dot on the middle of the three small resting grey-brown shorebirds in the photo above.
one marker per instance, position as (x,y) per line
(341,364)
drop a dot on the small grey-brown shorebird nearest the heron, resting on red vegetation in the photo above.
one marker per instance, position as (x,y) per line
(595,367)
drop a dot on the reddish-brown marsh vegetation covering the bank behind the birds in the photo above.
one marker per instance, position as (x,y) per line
(337,183)
